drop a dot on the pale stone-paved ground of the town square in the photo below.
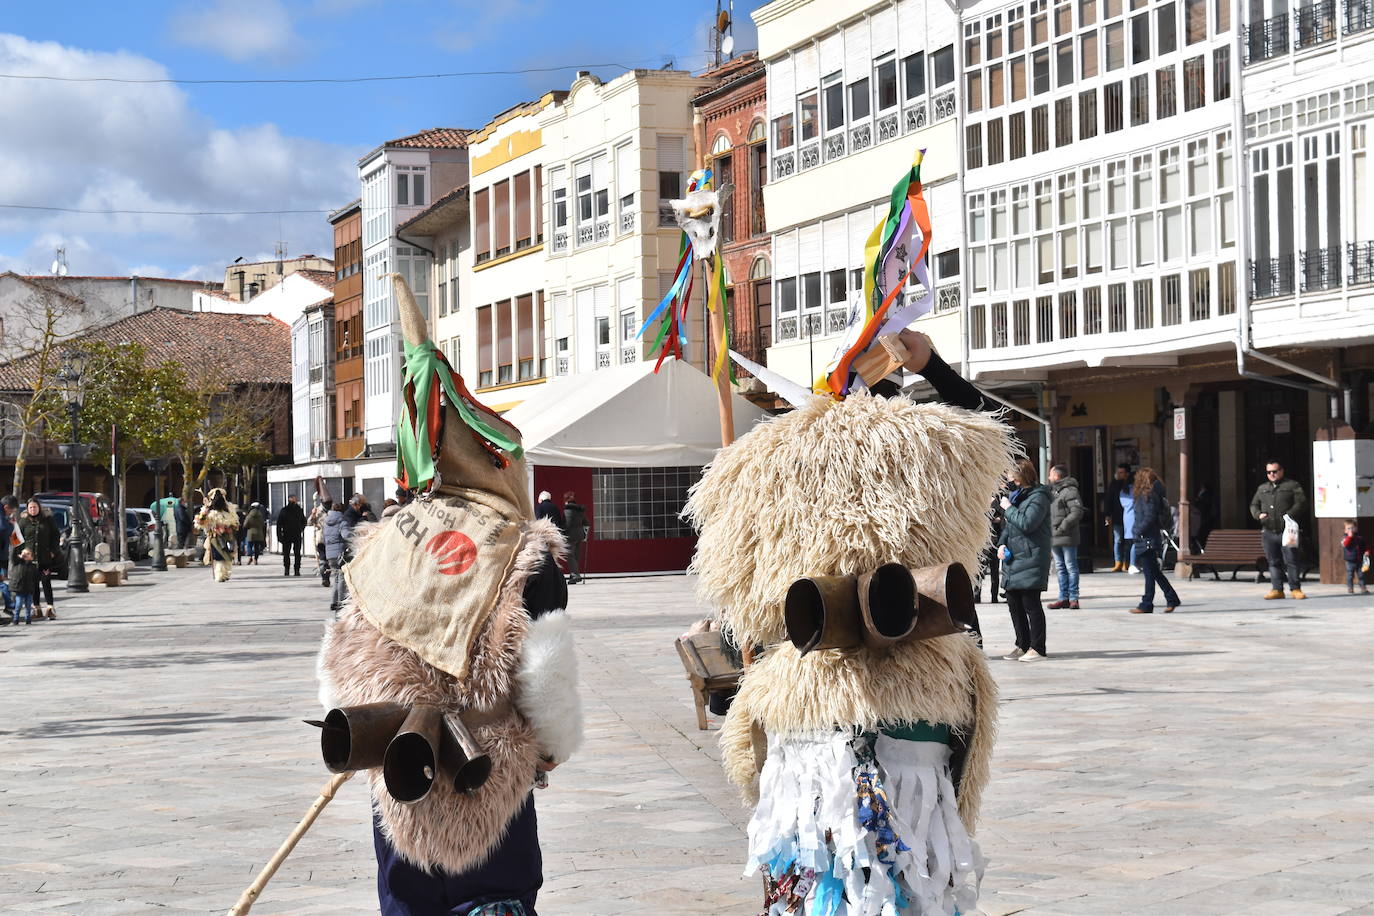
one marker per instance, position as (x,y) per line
(1218,760)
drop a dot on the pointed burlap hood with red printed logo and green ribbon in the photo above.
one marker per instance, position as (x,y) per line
(429,579)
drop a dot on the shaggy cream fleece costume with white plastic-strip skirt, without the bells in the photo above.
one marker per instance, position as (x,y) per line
(862,805)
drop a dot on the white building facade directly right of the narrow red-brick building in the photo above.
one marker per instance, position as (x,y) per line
(855,90)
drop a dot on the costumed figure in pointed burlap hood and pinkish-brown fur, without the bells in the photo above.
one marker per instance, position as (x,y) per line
(457,604)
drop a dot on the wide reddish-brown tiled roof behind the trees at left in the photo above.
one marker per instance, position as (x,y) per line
(254,350)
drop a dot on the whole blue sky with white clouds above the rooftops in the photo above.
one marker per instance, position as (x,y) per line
(80,142)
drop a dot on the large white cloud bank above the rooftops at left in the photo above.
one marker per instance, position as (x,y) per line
(144,148)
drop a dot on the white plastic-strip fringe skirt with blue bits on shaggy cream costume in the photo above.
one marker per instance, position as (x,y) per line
(850,826)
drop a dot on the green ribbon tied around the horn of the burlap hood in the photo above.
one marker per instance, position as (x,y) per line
(416,447)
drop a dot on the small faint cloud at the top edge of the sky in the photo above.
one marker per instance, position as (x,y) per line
(238,30)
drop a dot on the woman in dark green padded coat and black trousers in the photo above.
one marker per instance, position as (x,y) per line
(1026,558)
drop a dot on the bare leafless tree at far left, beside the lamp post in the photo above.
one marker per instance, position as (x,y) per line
(36,336)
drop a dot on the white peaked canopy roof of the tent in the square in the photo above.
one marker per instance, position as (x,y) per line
(627,417)
